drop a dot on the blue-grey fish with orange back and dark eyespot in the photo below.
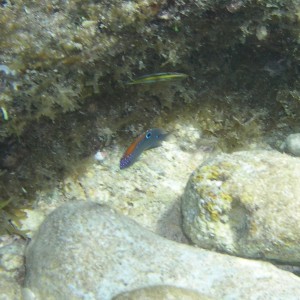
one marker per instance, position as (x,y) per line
(149,139)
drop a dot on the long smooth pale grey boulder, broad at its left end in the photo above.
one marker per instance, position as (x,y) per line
(86,250)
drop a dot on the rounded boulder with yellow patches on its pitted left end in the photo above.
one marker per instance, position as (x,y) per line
(246,204)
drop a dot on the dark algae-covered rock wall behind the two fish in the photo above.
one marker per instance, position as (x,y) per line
(62,74)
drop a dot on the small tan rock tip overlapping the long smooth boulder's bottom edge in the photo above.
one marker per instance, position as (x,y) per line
(161,292)
